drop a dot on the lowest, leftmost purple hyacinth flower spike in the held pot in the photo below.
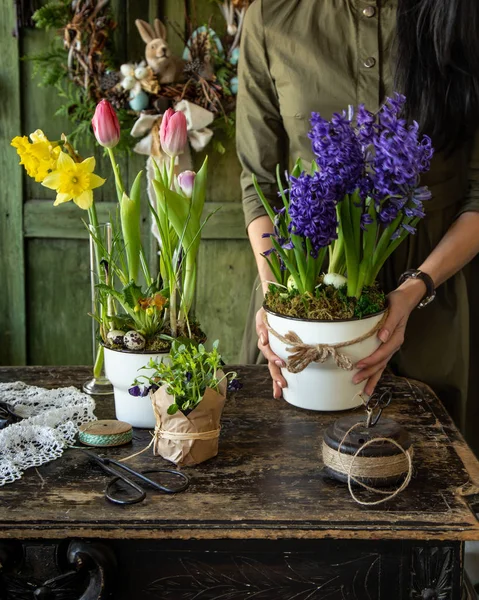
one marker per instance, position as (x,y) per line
(312,209)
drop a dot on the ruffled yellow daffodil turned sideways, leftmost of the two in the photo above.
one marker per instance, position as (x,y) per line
(39,156)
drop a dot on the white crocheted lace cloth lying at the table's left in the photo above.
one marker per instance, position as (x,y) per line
(50,423)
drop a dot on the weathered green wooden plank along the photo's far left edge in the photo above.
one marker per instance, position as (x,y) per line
(12,298)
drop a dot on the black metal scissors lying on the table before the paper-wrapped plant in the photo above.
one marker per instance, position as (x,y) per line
(112,467)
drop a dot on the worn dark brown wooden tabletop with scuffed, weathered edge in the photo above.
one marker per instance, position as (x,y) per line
(266,483)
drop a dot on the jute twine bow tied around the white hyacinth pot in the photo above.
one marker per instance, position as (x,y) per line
(302,355)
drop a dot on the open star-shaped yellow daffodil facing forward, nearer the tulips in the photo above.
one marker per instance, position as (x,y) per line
(73,181)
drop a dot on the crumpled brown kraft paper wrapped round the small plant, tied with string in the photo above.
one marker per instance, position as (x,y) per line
(204,420)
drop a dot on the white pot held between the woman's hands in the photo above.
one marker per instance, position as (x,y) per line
(324,386)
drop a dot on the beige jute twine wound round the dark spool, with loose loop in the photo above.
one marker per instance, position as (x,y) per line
(356,467)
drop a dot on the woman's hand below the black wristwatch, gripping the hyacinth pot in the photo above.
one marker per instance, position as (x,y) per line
(401,303)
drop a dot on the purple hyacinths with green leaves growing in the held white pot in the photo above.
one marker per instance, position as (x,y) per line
(360,200)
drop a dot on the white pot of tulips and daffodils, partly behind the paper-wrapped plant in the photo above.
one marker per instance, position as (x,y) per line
(122,368)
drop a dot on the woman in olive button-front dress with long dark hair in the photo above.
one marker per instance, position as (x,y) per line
(300,56)
